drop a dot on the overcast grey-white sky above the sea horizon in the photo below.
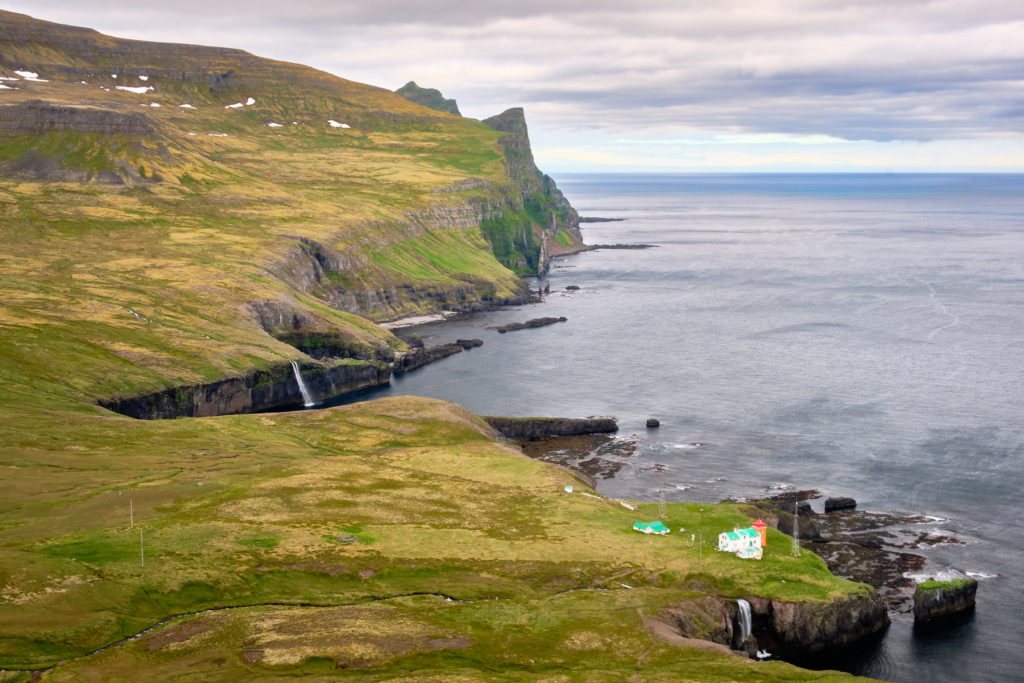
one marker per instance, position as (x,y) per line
(655,86)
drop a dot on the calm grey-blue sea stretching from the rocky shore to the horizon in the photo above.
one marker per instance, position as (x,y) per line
(859,334)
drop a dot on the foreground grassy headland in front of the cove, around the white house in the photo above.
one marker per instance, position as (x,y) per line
(260,513)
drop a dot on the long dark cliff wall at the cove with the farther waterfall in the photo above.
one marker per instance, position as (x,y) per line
(259,391)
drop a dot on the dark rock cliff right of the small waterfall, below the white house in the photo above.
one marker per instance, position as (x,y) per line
(796,630)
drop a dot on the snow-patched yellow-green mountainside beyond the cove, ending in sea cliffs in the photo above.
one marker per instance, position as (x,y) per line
(173,188)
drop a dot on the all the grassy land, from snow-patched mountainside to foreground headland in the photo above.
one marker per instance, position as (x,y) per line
(396,539)
